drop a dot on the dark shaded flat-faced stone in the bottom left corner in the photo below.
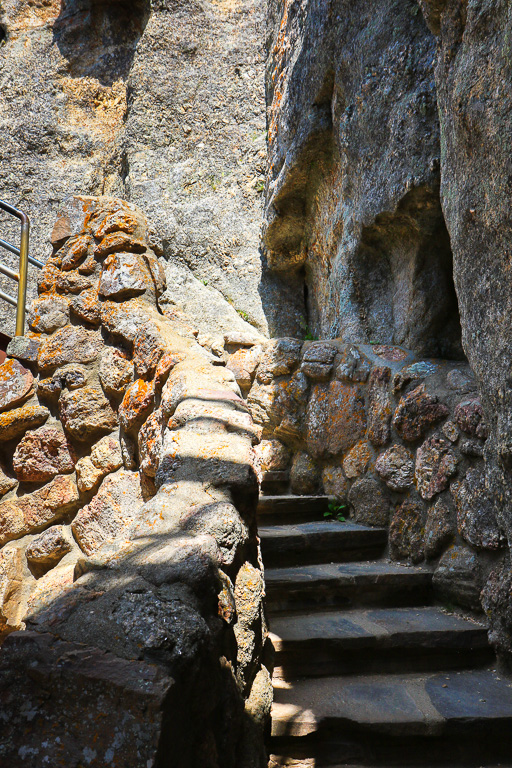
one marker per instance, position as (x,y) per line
(91,681)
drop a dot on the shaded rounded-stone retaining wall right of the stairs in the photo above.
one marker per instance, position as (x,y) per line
(396,440)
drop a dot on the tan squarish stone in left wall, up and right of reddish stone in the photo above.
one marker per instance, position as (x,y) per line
(86,413)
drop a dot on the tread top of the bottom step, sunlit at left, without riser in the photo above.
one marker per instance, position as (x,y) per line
(420,704)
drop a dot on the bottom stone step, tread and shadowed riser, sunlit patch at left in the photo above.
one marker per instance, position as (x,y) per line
(456,718)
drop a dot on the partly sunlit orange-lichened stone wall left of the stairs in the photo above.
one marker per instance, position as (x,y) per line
(131,582)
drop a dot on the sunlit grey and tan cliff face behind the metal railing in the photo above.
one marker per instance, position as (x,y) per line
(160,103)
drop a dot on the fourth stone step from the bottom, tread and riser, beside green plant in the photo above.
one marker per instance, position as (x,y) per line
(320,542)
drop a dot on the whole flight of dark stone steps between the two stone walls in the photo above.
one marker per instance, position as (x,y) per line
(368,671)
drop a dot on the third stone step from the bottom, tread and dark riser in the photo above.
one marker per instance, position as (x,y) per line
(347,584)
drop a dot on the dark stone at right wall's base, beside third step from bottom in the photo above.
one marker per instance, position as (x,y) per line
(458,578)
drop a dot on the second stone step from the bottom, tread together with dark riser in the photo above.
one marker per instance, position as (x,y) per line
(375,640)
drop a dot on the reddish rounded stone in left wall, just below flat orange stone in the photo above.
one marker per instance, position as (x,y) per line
(42,454)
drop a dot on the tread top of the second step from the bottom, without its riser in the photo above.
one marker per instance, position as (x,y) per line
(370,627)
